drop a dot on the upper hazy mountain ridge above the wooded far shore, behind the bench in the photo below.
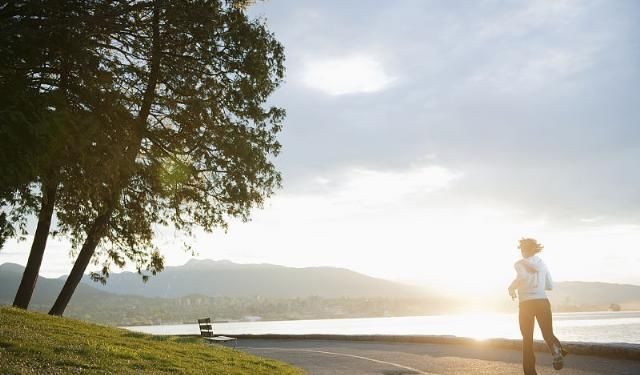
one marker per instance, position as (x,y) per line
(227,279)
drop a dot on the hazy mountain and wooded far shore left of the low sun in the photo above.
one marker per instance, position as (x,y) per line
(239,302)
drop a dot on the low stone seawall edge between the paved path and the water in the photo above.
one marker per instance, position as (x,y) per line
(608,350)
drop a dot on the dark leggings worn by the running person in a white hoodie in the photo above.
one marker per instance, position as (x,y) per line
(538,309)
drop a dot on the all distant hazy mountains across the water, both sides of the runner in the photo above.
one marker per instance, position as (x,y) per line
(231,291)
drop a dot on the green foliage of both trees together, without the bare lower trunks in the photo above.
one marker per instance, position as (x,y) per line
(141,113)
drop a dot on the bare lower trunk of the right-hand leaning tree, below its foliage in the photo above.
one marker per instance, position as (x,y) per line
(84,257)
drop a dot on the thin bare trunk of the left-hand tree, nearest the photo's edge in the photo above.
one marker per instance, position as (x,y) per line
(30,275)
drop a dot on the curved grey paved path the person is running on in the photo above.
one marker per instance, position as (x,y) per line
(320,357)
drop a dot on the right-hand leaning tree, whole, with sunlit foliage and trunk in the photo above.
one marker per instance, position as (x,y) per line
(195,76)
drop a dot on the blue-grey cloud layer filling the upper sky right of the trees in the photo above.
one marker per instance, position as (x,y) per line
(532,100)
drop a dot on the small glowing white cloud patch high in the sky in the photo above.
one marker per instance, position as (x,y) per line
(355,74)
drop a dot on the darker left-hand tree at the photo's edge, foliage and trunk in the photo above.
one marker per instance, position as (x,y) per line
(57,104)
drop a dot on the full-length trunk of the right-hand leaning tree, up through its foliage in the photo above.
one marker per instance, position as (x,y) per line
(100,224)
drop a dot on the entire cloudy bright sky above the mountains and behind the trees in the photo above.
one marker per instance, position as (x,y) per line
(423,139)
